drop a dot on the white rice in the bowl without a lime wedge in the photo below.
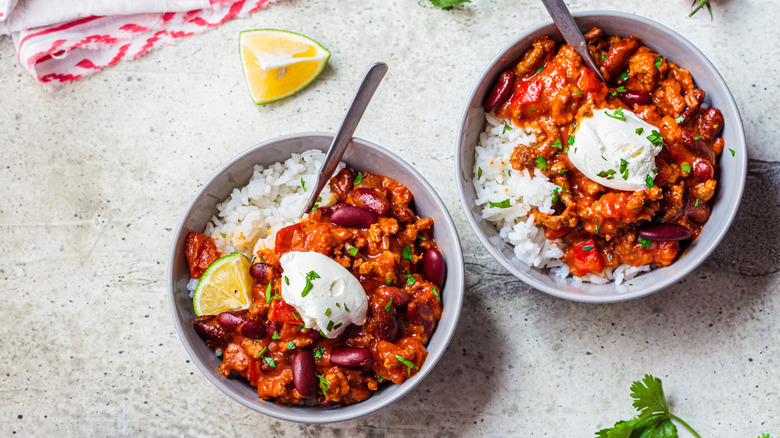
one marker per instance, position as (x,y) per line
(495,181)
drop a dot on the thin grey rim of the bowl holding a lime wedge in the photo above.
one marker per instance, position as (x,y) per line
(345,412)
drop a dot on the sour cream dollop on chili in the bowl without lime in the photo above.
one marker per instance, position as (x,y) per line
(613,149)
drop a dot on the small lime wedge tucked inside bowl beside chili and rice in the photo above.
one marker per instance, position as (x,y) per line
(226,285)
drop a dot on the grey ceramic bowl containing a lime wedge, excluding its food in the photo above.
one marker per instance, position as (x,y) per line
(361,155)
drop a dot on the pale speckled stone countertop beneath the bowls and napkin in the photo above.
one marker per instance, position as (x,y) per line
(96,175)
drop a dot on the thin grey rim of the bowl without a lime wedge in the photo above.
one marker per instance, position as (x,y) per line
(665,282)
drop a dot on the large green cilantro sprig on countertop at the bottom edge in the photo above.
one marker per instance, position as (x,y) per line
(654,419)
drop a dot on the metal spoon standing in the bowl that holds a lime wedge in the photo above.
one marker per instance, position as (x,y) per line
(344,134)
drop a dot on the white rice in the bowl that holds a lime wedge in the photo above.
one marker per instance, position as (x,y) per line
(273,199)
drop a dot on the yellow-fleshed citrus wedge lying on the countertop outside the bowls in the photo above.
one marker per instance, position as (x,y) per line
(278,63)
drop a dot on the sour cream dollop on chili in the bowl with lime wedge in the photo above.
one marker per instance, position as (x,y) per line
(327,296)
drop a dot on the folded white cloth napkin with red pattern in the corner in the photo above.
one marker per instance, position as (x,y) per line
(61,41)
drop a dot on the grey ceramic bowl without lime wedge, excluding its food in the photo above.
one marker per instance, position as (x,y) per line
(732,169)
